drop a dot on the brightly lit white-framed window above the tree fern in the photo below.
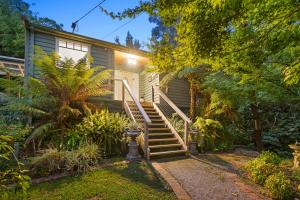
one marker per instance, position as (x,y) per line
(70,49)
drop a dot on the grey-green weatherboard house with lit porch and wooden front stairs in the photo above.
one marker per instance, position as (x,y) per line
(134,90)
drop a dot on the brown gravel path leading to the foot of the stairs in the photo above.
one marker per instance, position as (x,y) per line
(205,182)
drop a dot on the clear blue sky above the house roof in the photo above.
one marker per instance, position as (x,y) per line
(96,24)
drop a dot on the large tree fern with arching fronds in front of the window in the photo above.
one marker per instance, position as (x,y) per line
(68,85)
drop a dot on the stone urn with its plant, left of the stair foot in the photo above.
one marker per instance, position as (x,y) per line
(133,130)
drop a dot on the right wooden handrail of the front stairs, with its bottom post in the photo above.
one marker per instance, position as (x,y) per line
(171,107)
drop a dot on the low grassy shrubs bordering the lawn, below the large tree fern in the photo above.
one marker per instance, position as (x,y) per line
(53,161)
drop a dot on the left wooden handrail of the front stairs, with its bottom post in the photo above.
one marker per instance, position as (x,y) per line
(147,121)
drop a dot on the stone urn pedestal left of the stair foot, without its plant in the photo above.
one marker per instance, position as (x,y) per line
(133,153)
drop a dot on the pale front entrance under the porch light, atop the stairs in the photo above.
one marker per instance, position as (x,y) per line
(133,81)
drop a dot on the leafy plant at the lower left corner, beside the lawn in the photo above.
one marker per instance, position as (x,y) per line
(11,173)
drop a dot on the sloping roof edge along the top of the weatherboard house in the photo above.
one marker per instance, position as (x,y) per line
(82,38)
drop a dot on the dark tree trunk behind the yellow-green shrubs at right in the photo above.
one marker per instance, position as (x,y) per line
(257,133)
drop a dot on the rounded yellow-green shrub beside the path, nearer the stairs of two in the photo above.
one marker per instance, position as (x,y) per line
(263,166)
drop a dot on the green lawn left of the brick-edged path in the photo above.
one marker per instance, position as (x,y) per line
(125,181)
